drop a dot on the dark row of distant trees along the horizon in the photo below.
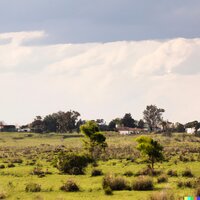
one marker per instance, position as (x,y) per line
(70,121)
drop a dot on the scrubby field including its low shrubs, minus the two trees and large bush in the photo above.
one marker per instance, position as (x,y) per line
(29,168)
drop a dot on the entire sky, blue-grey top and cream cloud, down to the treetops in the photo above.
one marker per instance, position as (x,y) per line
(101,58)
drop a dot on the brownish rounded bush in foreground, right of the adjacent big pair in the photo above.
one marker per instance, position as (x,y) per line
(143,183)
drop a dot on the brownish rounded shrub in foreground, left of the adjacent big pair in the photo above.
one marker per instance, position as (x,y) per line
(115,182)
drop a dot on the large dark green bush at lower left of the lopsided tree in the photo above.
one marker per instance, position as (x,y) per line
(72,163)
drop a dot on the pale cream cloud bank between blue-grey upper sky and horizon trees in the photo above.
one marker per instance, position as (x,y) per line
(100,80)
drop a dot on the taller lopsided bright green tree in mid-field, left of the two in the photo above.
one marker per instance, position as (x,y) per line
(95,141)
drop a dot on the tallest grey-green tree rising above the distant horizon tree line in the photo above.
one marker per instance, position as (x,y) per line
(153,116)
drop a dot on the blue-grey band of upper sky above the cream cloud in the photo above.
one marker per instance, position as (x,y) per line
(78,21)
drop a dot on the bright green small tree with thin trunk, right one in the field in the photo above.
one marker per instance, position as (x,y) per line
(150,148)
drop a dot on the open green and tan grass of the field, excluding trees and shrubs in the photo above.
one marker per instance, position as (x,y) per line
(21,152)
